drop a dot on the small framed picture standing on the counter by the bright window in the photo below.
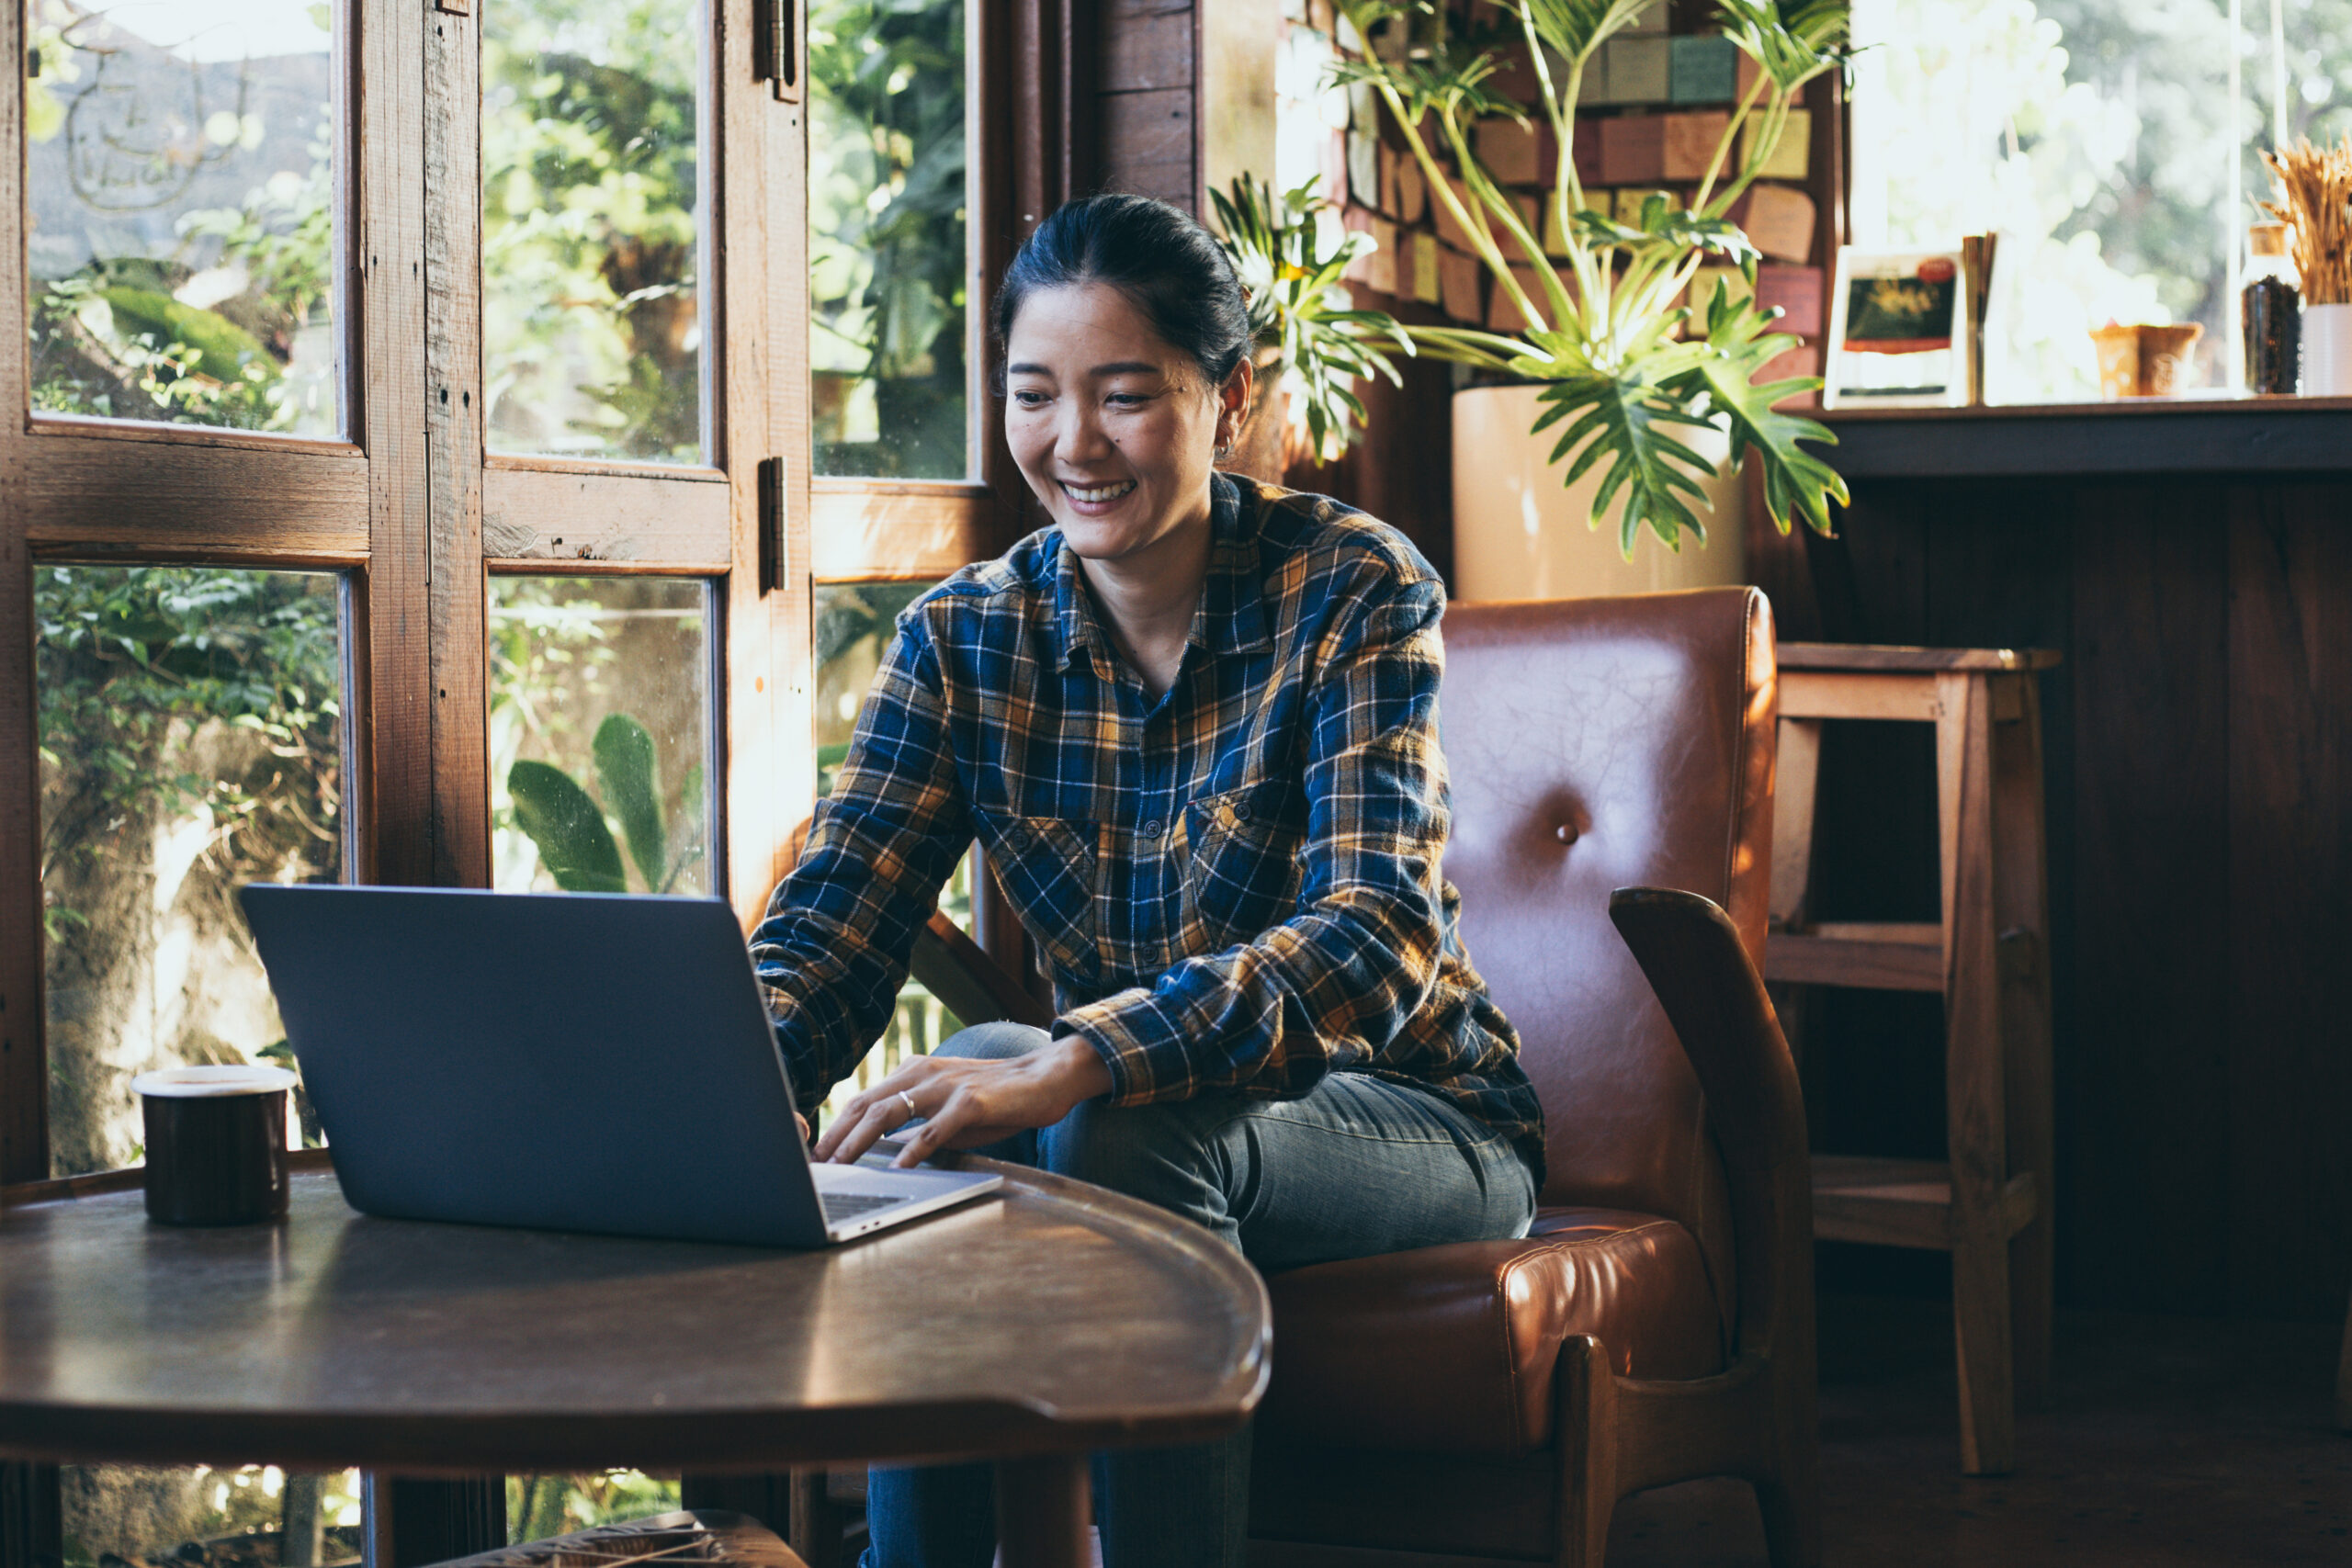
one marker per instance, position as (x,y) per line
(1899,333)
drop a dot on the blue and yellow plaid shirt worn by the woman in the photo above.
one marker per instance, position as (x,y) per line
(1236,887)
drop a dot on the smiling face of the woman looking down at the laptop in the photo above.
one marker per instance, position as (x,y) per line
(1114,429)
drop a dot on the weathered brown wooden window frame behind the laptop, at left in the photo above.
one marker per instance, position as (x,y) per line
(413,511)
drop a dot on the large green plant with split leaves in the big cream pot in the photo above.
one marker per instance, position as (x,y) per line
(1626,382)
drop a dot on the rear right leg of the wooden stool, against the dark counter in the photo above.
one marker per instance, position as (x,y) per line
(2022,918)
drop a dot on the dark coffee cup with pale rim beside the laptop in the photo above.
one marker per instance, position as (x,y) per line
(215,1144)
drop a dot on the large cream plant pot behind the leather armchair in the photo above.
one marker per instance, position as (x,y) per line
(1523,535)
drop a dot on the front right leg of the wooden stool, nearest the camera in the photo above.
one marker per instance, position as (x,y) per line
(1975,1080)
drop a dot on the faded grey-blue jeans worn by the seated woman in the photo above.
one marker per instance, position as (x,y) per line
(1349,1170)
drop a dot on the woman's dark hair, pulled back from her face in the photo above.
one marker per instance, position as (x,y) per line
(1156,255)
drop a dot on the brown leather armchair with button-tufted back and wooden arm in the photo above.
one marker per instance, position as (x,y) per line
(1495,1400)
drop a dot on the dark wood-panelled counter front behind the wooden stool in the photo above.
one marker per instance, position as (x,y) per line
(2200,810)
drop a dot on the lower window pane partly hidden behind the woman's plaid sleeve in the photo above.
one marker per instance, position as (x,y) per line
(853,634)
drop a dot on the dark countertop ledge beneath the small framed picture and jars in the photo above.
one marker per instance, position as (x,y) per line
(2146,436)
